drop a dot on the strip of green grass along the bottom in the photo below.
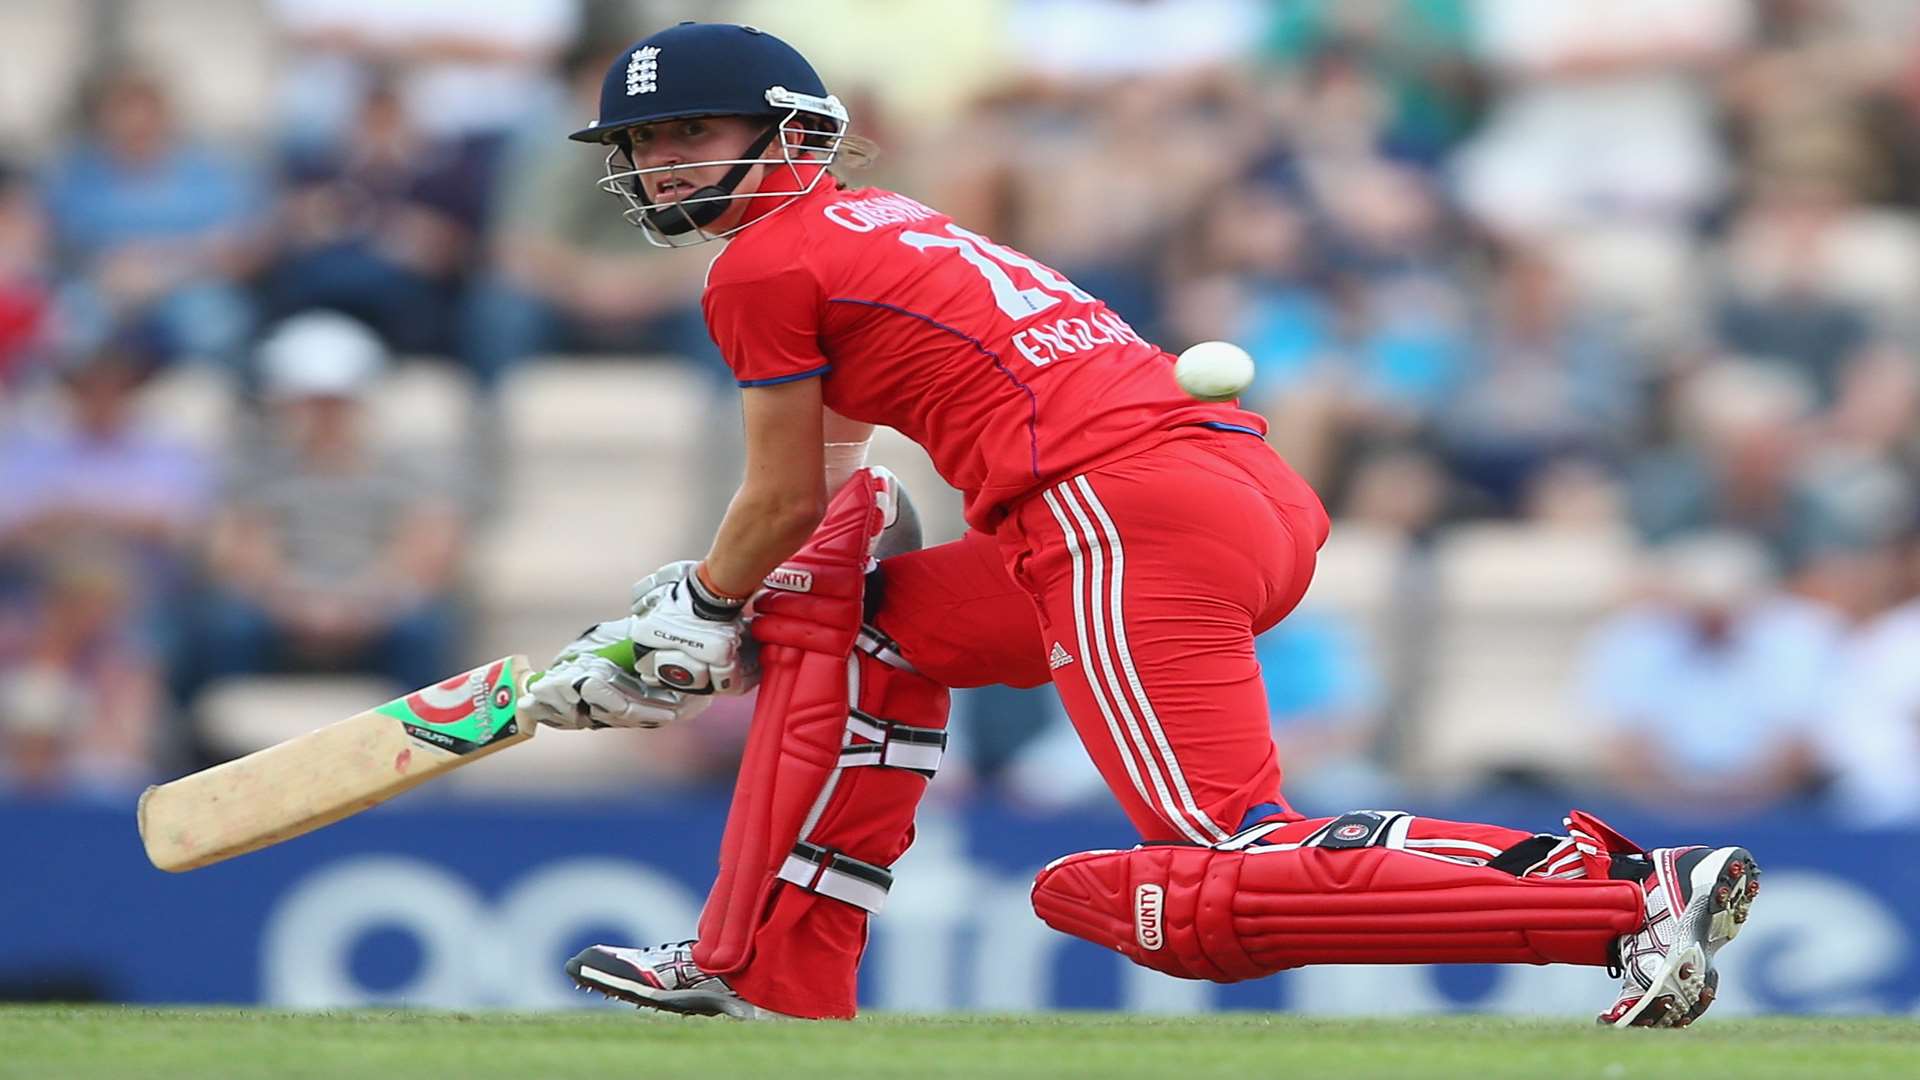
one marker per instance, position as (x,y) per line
(60,1043)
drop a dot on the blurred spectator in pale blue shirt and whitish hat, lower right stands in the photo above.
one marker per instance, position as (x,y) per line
(1710,691)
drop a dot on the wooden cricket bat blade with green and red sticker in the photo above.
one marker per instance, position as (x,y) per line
(337,772)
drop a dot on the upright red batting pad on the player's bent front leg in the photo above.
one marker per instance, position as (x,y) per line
(780,946)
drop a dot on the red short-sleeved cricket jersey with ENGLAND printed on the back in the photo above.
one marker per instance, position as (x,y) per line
(1007,374)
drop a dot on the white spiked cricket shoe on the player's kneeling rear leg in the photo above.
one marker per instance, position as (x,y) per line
(1698,898)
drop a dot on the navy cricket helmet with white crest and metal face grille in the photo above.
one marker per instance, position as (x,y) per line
(700,70)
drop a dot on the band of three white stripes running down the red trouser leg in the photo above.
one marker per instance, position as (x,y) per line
(1105,679)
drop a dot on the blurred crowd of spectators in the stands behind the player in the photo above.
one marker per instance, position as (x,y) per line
(1596,266)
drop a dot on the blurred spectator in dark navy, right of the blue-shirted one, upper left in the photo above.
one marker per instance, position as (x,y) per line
(381,228)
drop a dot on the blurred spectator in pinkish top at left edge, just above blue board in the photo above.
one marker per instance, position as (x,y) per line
(80,693)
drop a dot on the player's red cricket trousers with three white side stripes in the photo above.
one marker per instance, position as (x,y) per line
(1138,589)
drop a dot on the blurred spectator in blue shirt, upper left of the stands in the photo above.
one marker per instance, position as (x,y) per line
(153,228)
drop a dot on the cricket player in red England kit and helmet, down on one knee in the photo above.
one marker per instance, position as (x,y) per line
(1126,543)
